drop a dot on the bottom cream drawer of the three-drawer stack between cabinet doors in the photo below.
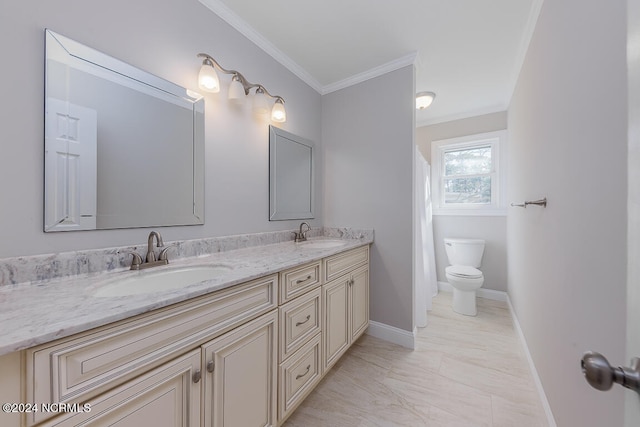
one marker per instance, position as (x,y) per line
(298,376)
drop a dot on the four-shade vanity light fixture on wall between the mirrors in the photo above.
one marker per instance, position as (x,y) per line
(208,81)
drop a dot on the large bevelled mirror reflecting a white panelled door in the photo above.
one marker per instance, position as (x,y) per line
(123,148)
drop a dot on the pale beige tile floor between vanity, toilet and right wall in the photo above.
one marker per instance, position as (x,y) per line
(465,371)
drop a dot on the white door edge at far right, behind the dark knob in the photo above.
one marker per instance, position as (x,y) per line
(632,403)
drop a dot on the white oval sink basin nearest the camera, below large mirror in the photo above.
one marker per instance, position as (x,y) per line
(148,282)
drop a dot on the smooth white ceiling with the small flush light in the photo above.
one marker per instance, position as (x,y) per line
(468,52)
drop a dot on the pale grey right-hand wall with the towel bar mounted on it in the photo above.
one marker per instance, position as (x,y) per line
(567,141)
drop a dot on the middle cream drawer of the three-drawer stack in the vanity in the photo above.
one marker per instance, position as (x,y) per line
(299,320)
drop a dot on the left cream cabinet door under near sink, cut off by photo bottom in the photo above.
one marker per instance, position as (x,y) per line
(167,396)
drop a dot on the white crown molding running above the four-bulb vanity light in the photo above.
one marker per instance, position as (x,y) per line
(229,16)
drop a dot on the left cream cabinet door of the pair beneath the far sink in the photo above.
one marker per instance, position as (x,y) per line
(336,321)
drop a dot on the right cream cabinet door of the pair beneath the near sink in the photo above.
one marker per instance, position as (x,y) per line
(240,385)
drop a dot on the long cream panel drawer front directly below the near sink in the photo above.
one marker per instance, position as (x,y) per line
(79,367)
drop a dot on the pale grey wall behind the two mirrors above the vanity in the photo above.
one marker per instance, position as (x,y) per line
(162,38)
